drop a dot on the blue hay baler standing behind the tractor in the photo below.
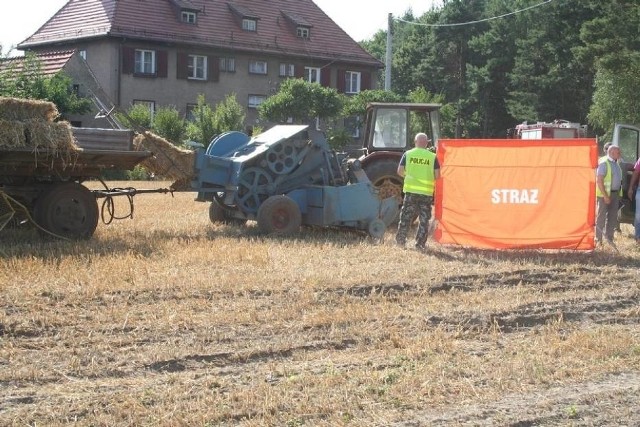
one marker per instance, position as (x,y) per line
(286,177)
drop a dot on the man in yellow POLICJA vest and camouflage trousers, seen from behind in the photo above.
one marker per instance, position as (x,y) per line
(420,169)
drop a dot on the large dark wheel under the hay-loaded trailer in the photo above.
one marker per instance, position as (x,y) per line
(68,210)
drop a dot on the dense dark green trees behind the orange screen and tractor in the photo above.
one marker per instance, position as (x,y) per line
(558,59)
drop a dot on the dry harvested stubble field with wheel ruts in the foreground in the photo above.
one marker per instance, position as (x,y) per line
(169,320)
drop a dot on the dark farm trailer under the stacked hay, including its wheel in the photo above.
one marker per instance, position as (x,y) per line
(48,182)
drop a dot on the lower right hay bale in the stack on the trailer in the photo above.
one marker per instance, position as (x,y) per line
(54,136)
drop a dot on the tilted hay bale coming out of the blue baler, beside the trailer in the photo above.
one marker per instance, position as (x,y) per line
(168,160)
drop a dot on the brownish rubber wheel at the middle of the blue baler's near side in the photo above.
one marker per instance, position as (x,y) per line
(279,215)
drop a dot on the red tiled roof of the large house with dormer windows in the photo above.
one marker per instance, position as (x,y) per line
(217,26)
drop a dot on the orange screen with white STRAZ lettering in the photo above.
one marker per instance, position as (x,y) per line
(516,193)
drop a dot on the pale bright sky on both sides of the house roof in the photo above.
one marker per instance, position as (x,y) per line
(361,19)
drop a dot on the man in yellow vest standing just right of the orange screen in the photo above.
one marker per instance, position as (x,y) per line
(608,192)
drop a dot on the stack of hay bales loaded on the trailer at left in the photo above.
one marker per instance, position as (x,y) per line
(26,123)
